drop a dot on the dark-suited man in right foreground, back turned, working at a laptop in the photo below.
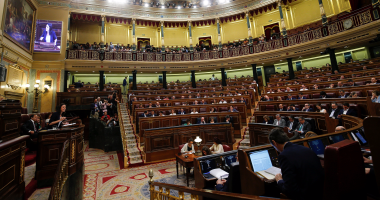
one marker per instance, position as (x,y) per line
(301,171)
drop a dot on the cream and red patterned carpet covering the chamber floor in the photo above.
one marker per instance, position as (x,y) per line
(105,180)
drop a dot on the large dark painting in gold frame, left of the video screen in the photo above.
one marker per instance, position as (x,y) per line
(19,22)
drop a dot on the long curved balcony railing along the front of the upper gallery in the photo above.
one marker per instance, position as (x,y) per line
(358,18)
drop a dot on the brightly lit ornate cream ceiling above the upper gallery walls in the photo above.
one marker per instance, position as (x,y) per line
(173,10)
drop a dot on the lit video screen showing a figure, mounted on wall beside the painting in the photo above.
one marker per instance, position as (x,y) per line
(48,36)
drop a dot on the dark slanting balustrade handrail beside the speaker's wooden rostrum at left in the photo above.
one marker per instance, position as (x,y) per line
(61,174)
